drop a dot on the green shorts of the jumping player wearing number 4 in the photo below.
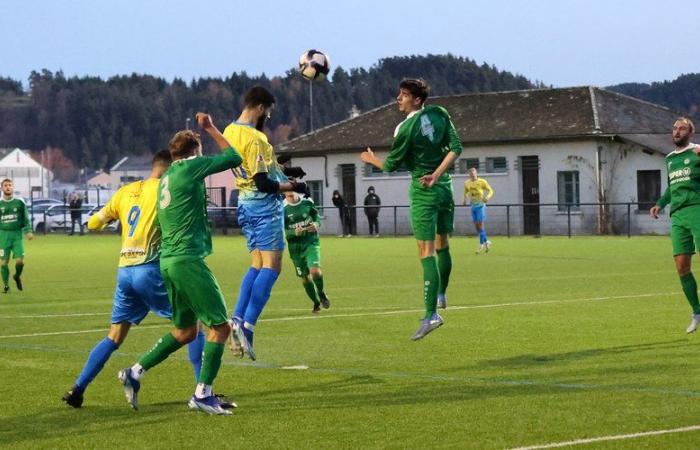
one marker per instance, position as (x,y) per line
(432,210)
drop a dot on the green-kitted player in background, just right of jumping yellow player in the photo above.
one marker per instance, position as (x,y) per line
(301,225)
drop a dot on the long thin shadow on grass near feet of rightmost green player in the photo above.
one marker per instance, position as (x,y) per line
(530,360)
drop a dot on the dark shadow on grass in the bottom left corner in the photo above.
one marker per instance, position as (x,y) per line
(89,423)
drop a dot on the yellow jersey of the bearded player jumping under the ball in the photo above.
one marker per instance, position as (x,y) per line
(258,157)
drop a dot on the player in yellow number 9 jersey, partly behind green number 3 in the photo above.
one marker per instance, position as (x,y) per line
(140,287)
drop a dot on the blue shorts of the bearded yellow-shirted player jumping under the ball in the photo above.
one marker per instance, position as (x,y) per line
(262,223)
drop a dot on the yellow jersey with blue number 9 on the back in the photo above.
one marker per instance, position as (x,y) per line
(134,205)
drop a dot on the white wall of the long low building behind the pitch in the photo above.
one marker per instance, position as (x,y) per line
(553,157)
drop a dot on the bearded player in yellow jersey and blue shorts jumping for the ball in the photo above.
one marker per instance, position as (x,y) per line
(260,180)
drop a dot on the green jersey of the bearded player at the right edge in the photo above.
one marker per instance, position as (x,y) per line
(683,179)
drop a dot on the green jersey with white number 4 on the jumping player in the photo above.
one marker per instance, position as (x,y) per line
(422,141)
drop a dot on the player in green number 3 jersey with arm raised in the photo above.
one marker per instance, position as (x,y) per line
(193,291)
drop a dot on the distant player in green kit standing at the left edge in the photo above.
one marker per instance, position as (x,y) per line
(14,223)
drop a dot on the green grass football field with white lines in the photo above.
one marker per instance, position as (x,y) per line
(545,340)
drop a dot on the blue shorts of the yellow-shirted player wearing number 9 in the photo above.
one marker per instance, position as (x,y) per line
(140,289)
